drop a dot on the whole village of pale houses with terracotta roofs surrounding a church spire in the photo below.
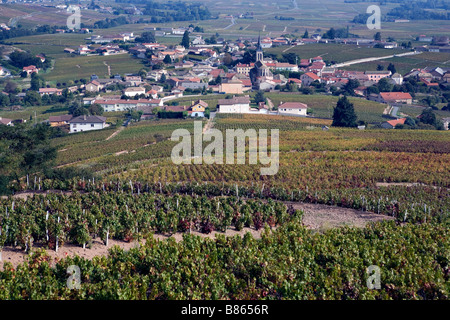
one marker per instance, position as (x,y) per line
(204,67)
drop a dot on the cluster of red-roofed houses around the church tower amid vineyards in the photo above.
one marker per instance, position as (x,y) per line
(207,74)
